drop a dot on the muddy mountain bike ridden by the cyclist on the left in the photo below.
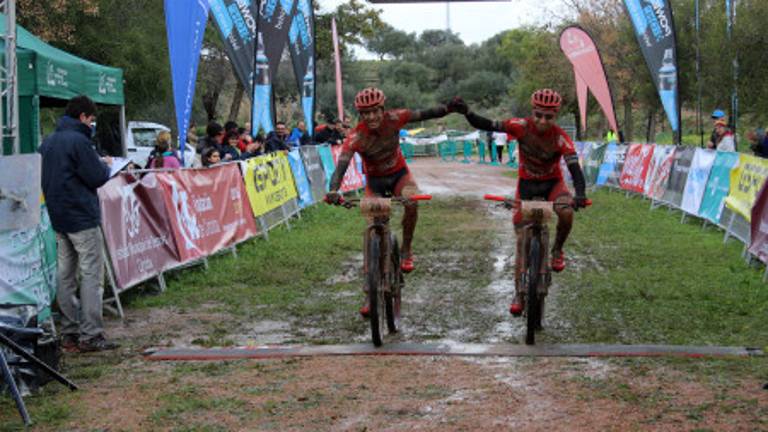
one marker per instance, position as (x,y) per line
(384,280)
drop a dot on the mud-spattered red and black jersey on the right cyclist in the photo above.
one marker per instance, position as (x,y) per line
(539,152)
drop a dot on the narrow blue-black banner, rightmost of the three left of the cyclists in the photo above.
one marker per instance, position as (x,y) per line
(302,47)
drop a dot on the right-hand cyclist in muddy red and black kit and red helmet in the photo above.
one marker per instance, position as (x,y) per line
(541,145)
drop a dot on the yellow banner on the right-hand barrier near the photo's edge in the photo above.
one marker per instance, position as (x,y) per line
(746,180)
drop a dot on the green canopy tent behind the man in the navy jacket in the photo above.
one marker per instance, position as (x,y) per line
(48,76)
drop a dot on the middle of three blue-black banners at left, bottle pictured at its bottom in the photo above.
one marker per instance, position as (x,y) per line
(275,19)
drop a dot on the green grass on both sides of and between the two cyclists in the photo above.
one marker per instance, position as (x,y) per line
(635,276)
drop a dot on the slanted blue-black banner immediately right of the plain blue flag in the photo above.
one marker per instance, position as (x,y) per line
(236,21)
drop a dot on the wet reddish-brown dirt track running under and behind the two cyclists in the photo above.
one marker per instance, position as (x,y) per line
(429,393)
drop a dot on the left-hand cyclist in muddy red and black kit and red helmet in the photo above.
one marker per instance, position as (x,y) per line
(377,139)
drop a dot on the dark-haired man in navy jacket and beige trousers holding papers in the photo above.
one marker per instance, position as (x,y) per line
(72,172)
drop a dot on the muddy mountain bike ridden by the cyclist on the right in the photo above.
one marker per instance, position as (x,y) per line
(536,275)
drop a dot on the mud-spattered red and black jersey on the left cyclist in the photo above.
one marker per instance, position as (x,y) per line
(380,148)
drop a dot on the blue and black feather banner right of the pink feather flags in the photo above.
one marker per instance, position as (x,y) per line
(655,32)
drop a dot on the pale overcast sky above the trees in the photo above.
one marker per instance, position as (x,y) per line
(473,21)
